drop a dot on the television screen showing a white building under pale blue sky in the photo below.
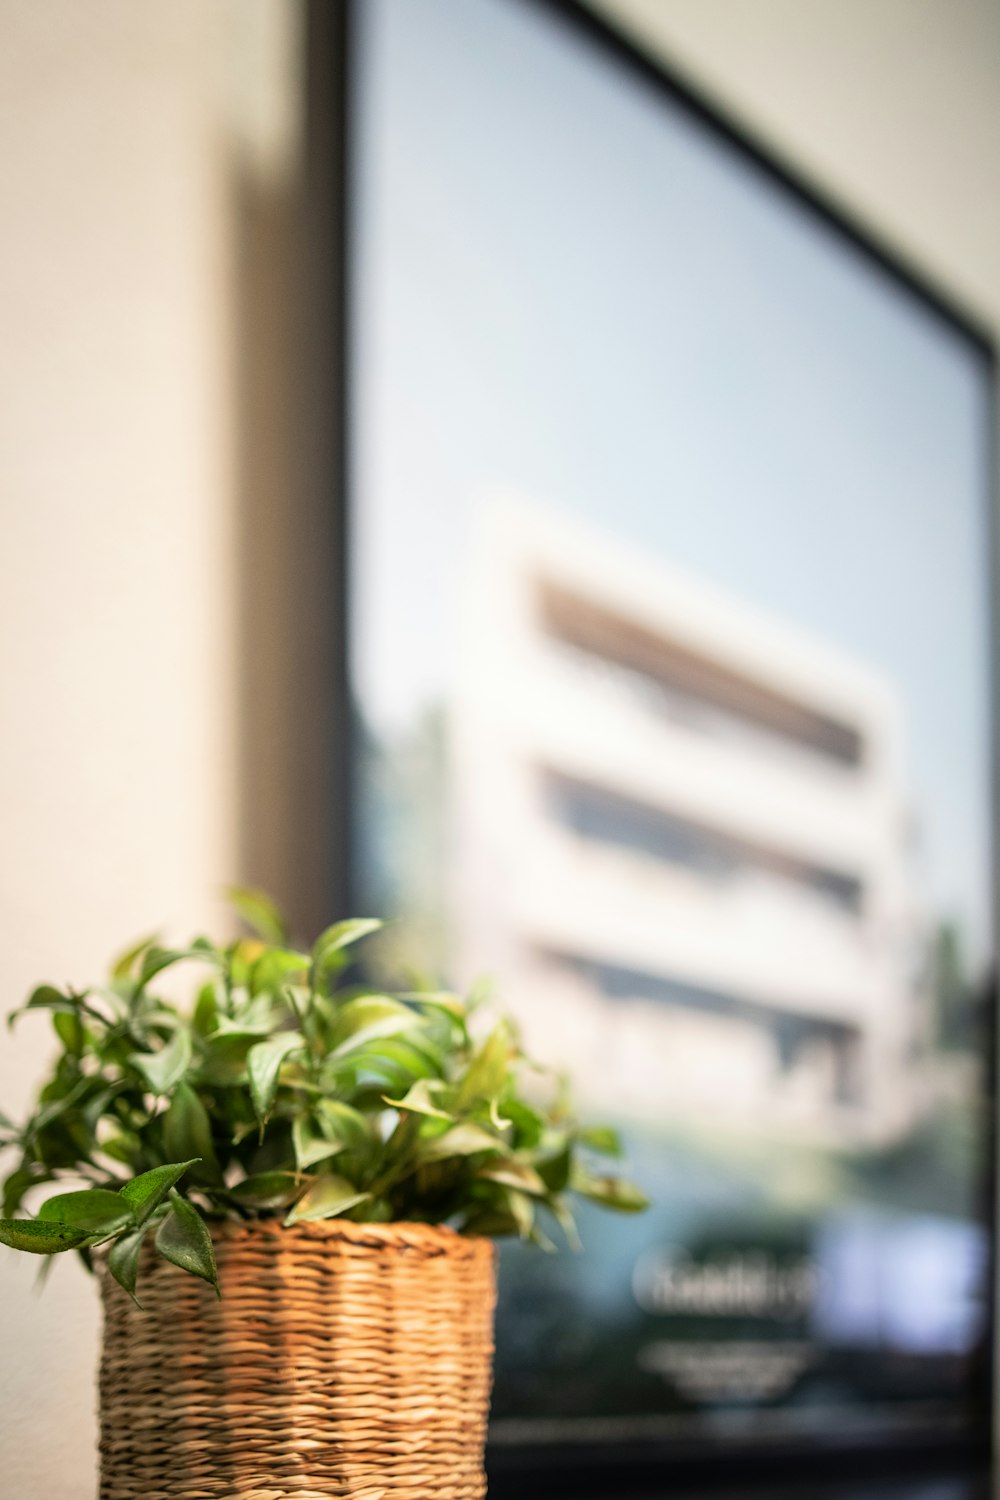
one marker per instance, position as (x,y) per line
(666,547)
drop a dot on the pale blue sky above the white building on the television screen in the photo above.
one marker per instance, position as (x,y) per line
(566,287)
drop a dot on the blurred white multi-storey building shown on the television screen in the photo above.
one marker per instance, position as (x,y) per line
(680,836)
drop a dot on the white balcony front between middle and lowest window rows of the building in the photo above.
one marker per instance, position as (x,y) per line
(755,938)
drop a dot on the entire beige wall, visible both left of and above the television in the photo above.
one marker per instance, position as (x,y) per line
(130,134)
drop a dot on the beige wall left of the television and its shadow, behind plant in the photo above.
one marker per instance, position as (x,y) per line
(124,127)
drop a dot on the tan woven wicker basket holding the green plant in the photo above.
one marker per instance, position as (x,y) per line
(344,1360)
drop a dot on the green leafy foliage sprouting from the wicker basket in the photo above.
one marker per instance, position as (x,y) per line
(284,1090)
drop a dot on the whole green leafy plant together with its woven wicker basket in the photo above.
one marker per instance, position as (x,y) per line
(290,1190)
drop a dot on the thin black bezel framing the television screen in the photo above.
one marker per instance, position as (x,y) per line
(332,83)
